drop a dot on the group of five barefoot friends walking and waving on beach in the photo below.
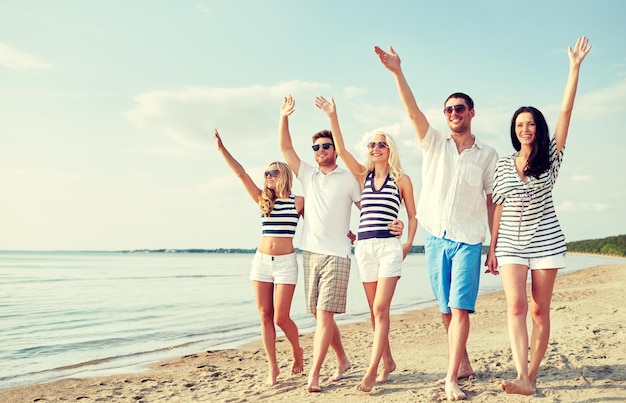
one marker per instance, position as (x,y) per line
(466,191)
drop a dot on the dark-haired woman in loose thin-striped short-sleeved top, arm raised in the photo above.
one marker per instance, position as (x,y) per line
(526,234)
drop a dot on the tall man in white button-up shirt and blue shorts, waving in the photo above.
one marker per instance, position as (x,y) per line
(455,209)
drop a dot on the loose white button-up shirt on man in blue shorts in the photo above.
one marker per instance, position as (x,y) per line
(454,188)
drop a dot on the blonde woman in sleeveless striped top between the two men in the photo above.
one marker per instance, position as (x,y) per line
(379,254)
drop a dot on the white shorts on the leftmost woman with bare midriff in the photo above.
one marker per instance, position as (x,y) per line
(281,269)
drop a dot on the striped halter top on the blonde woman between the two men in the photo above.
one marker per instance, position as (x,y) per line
(379,207)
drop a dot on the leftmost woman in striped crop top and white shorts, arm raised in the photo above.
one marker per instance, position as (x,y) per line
(274,267)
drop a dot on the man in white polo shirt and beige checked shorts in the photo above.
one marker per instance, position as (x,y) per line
(329,192)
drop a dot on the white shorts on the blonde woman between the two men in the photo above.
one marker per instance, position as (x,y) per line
(378,257)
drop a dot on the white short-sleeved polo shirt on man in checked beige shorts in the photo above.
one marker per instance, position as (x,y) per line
(328,200)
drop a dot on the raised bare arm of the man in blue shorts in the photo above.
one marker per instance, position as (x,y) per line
(391,61)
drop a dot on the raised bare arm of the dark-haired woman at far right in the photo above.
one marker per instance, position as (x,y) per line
(576,56)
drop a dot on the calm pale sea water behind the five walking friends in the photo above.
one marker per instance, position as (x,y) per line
(79,314)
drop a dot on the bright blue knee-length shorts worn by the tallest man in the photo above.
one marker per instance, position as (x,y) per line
(454,272)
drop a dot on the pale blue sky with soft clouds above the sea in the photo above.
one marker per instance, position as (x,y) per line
(108,107)
